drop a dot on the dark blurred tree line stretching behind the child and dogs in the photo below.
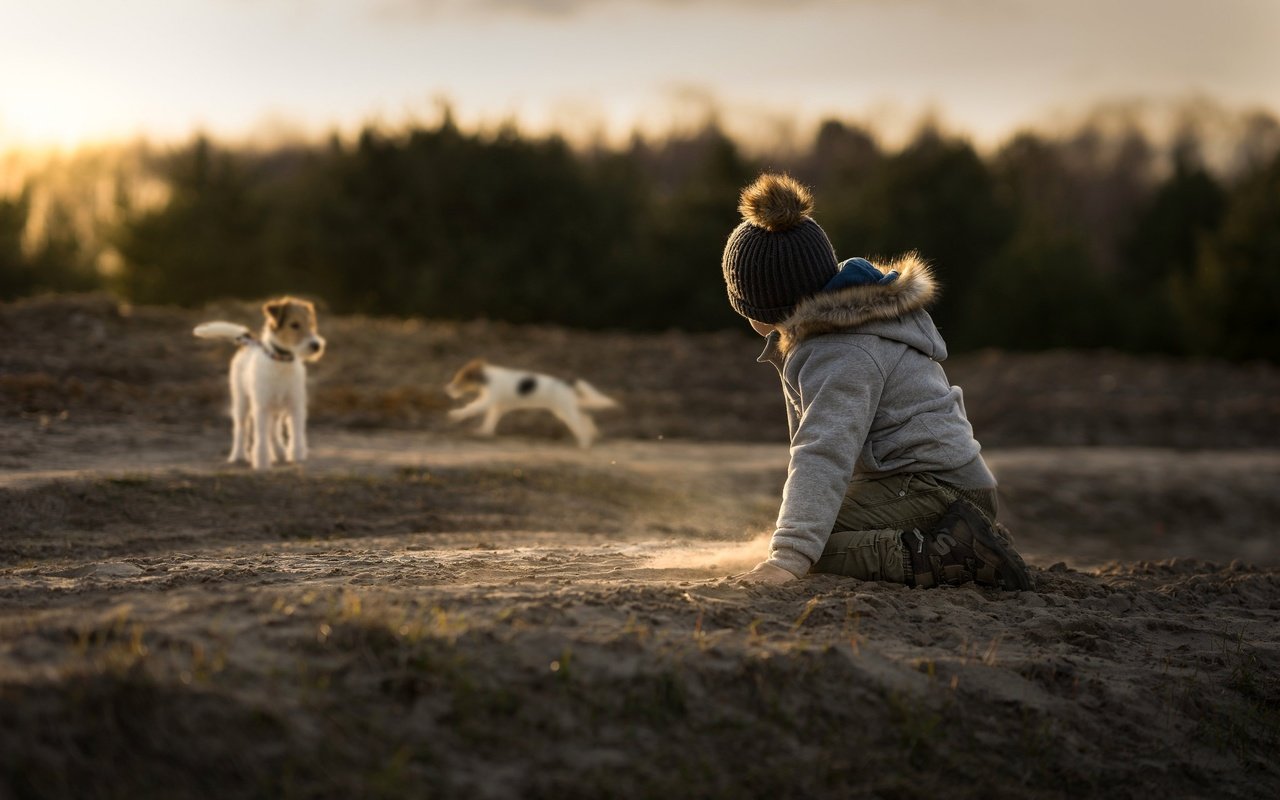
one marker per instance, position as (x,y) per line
(1086,240)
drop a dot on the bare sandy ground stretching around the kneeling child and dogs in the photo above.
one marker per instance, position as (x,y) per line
(418,612)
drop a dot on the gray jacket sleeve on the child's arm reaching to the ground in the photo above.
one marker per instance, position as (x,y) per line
(840,387)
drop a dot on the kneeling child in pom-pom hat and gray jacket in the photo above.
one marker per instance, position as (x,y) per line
(886,481)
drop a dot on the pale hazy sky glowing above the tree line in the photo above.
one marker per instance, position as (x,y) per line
(77,71)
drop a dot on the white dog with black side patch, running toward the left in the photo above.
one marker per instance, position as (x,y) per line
(502,391)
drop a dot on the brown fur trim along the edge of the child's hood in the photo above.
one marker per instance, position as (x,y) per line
(853,307)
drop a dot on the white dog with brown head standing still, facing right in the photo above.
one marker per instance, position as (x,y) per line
(269,382)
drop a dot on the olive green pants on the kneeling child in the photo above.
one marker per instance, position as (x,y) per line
(867,542)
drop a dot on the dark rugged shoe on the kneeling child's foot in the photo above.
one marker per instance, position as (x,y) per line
(964,547)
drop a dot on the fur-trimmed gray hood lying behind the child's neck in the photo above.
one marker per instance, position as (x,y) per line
(888,310)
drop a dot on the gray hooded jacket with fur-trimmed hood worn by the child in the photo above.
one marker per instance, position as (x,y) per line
(866,397)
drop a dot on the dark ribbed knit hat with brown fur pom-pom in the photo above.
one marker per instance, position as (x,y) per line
(778,257)
